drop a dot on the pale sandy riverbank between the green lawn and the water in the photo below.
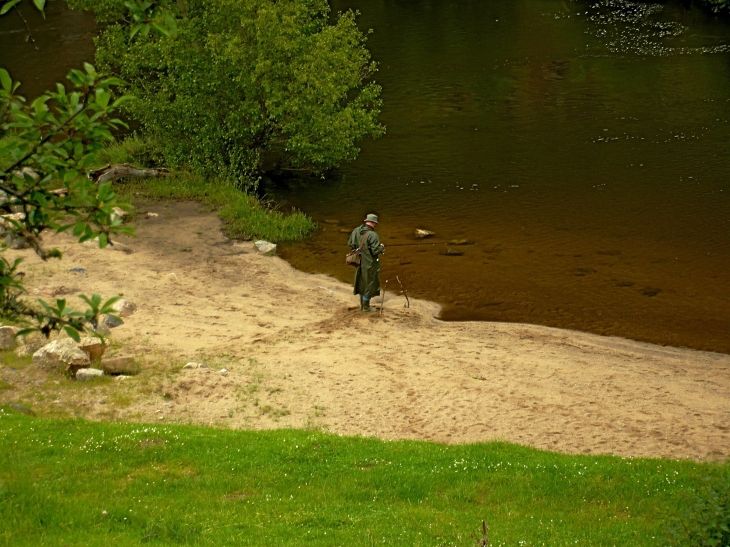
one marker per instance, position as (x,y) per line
(299,354)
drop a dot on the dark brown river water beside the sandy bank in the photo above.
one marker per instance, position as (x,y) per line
(581,149)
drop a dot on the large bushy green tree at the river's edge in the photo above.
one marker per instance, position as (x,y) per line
(238,88)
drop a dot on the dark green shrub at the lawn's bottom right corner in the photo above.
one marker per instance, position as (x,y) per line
(706,519)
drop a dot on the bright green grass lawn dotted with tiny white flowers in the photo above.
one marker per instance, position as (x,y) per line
(65,482)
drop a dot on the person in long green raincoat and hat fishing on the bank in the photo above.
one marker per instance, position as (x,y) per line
(367,276)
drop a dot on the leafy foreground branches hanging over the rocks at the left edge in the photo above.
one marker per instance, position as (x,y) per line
(45,149)
